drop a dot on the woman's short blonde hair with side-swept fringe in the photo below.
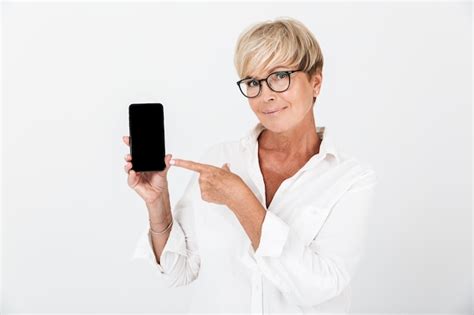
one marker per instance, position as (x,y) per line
(281,41)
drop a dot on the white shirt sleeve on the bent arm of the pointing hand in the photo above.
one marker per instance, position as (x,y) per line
(314,258)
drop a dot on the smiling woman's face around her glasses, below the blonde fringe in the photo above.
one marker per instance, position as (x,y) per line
(292,105)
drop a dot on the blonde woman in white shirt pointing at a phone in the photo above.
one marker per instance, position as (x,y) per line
(275,222)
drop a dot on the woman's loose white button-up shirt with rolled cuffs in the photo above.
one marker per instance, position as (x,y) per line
(312,236)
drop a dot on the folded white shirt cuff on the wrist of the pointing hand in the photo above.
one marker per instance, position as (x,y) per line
(273,237)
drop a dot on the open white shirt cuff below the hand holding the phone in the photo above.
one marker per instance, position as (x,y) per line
(175,244)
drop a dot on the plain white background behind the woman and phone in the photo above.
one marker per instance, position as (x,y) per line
(396,93)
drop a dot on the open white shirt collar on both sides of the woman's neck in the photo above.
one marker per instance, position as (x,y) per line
(249,141)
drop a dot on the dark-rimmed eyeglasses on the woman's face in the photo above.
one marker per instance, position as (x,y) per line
(277,81)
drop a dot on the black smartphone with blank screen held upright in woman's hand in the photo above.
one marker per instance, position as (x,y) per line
(147,137)
